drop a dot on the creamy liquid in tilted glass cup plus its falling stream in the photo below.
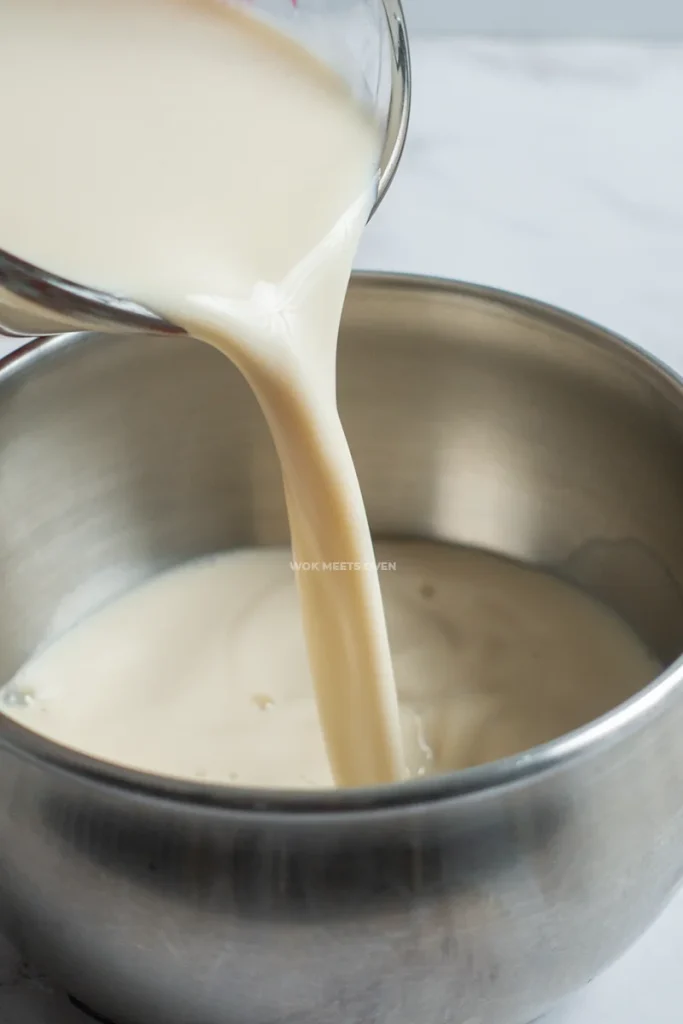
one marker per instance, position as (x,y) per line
(184,156)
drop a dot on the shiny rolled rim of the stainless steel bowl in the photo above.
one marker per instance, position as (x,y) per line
(591,739)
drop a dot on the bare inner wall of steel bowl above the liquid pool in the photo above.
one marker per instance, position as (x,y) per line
(474,418)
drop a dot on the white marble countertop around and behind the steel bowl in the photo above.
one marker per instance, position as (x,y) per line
(558,173)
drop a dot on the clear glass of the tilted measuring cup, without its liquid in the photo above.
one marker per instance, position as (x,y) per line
(365,41)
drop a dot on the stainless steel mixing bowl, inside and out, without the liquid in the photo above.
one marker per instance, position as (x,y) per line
(481,899)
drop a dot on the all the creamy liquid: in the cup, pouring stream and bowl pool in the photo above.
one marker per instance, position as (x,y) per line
(182,156)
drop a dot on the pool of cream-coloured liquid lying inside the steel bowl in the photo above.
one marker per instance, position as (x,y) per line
(203,672)
